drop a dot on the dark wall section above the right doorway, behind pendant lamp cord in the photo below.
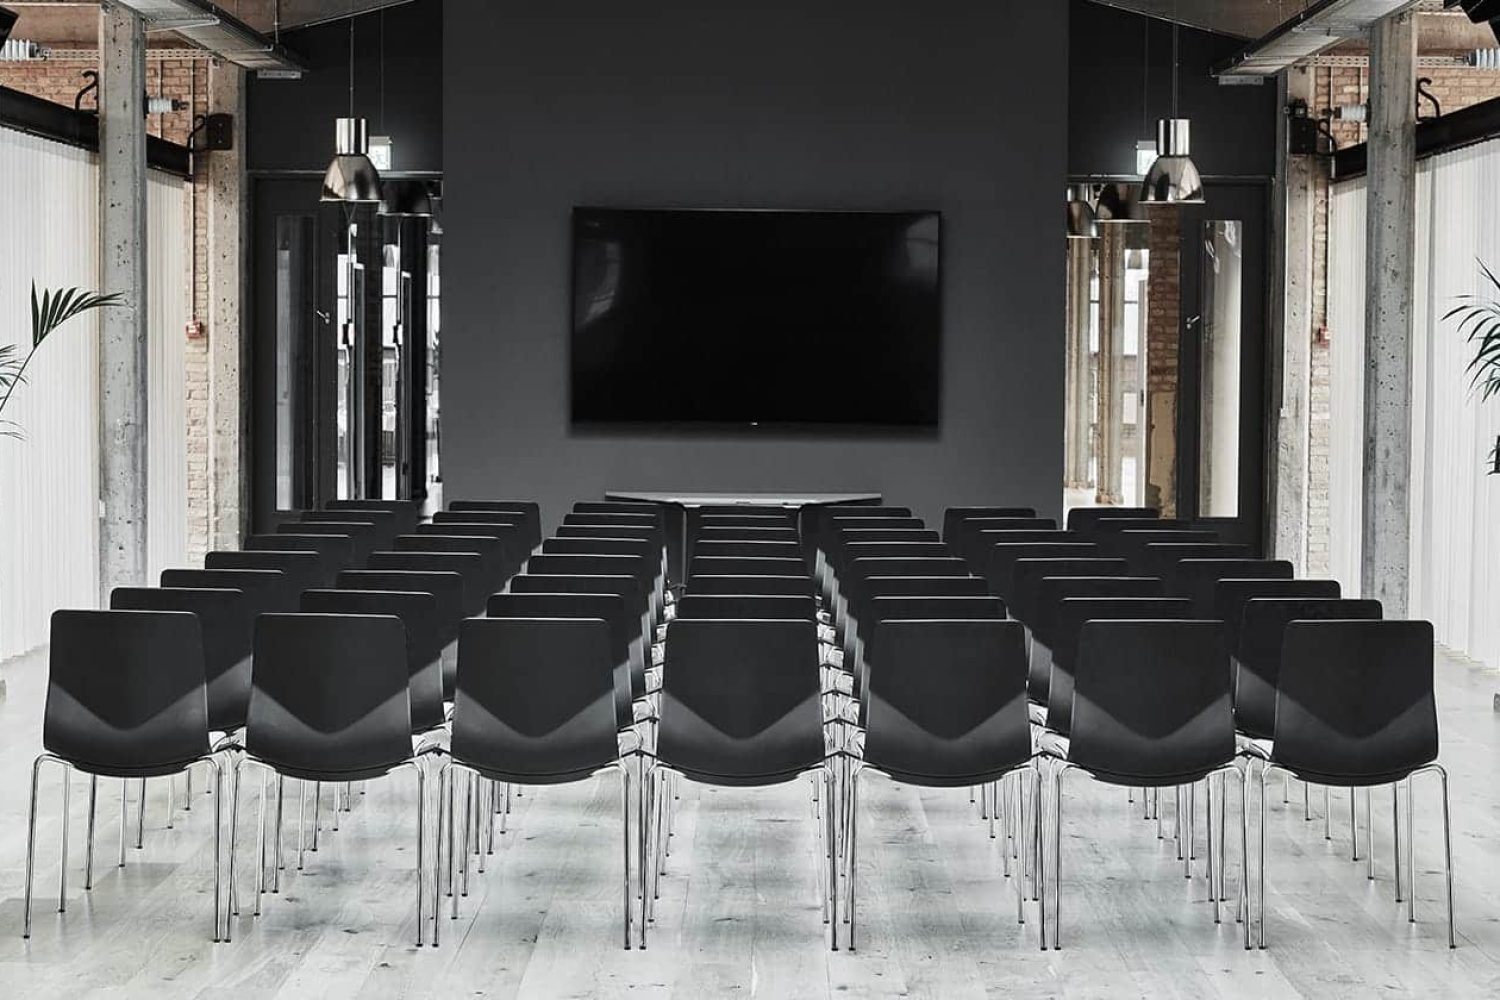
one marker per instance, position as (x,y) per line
(1121,83)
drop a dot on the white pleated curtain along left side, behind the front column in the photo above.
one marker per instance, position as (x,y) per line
(49,481)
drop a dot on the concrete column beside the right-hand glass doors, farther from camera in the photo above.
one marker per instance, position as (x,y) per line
(1292,334)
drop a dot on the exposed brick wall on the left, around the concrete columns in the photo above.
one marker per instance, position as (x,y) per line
(182,79)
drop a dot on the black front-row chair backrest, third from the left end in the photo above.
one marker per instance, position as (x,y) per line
(538,699)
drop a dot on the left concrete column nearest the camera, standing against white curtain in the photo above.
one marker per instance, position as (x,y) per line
(122,331)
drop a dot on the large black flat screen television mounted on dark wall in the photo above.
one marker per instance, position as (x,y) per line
(757,319)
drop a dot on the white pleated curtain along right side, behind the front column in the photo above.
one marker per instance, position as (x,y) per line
(1456,545)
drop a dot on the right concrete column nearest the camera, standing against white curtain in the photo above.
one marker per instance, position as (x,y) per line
(1390,296)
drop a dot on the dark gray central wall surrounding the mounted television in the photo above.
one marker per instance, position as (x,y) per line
(784,104)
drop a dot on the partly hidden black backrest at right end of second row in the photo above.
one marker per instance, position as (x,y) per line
(1262,642)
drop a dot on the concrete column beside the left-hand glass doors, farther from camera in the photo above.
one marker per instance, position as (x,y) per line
(229,346)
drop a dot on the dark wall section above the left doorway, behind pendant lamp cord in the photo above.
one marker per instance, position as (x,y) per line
(292,121)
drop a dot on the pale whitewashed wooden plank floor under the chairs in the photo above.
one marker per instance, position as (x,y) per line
(739,914)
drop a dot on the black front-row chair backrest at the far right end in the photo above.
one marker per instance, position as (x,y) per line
(1355,704)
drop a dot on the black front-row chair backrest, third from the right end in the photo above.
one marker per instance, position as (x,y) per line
(947,701)
